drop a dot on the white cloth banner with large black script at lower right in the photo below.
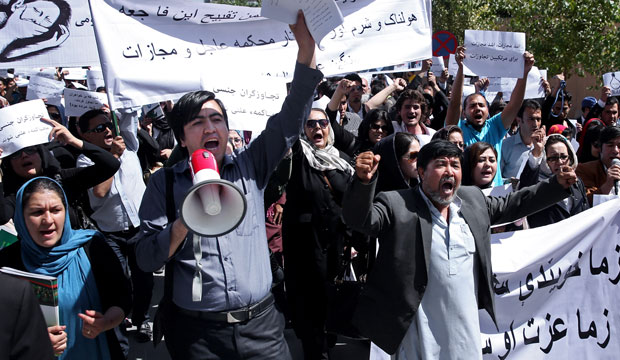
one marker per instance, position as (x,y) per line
(557,290)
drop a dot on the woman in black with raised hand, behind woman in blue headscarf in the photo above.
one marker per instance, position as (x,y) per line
(37,160)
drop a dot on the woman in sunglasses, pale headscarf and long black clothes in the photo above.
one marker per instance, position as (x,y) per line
(313,233)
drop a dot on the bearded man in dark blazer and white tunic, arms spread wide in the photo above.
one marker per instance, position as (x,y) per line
(435,254)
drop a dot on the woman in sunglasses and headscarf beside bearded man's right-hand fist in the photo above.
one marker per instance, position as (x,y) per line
(548,157)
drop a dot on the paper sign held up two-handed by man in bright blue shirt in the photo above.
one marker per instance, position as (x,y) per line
(495,53)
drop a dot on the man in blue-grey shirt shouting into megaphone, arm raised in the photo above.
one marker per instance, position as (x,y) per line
(217,302)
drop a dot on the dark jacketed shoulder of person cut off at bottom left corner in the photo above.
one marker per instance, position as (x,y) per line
(23,333)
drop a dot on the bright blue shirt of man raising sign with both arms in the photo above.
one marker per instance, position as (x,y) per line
(493,132)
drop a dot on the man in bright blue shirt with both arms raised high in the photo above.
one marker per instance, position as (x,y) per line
(477,126)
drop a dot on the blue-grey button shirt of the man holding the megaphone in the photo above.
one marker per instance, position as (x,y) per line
(235,267)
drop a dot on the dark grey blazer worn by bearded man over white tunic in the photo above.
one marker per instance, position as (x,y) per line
(402,221)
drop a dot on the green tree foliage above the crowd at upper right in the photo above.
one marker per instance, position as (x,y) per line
(570,36)
